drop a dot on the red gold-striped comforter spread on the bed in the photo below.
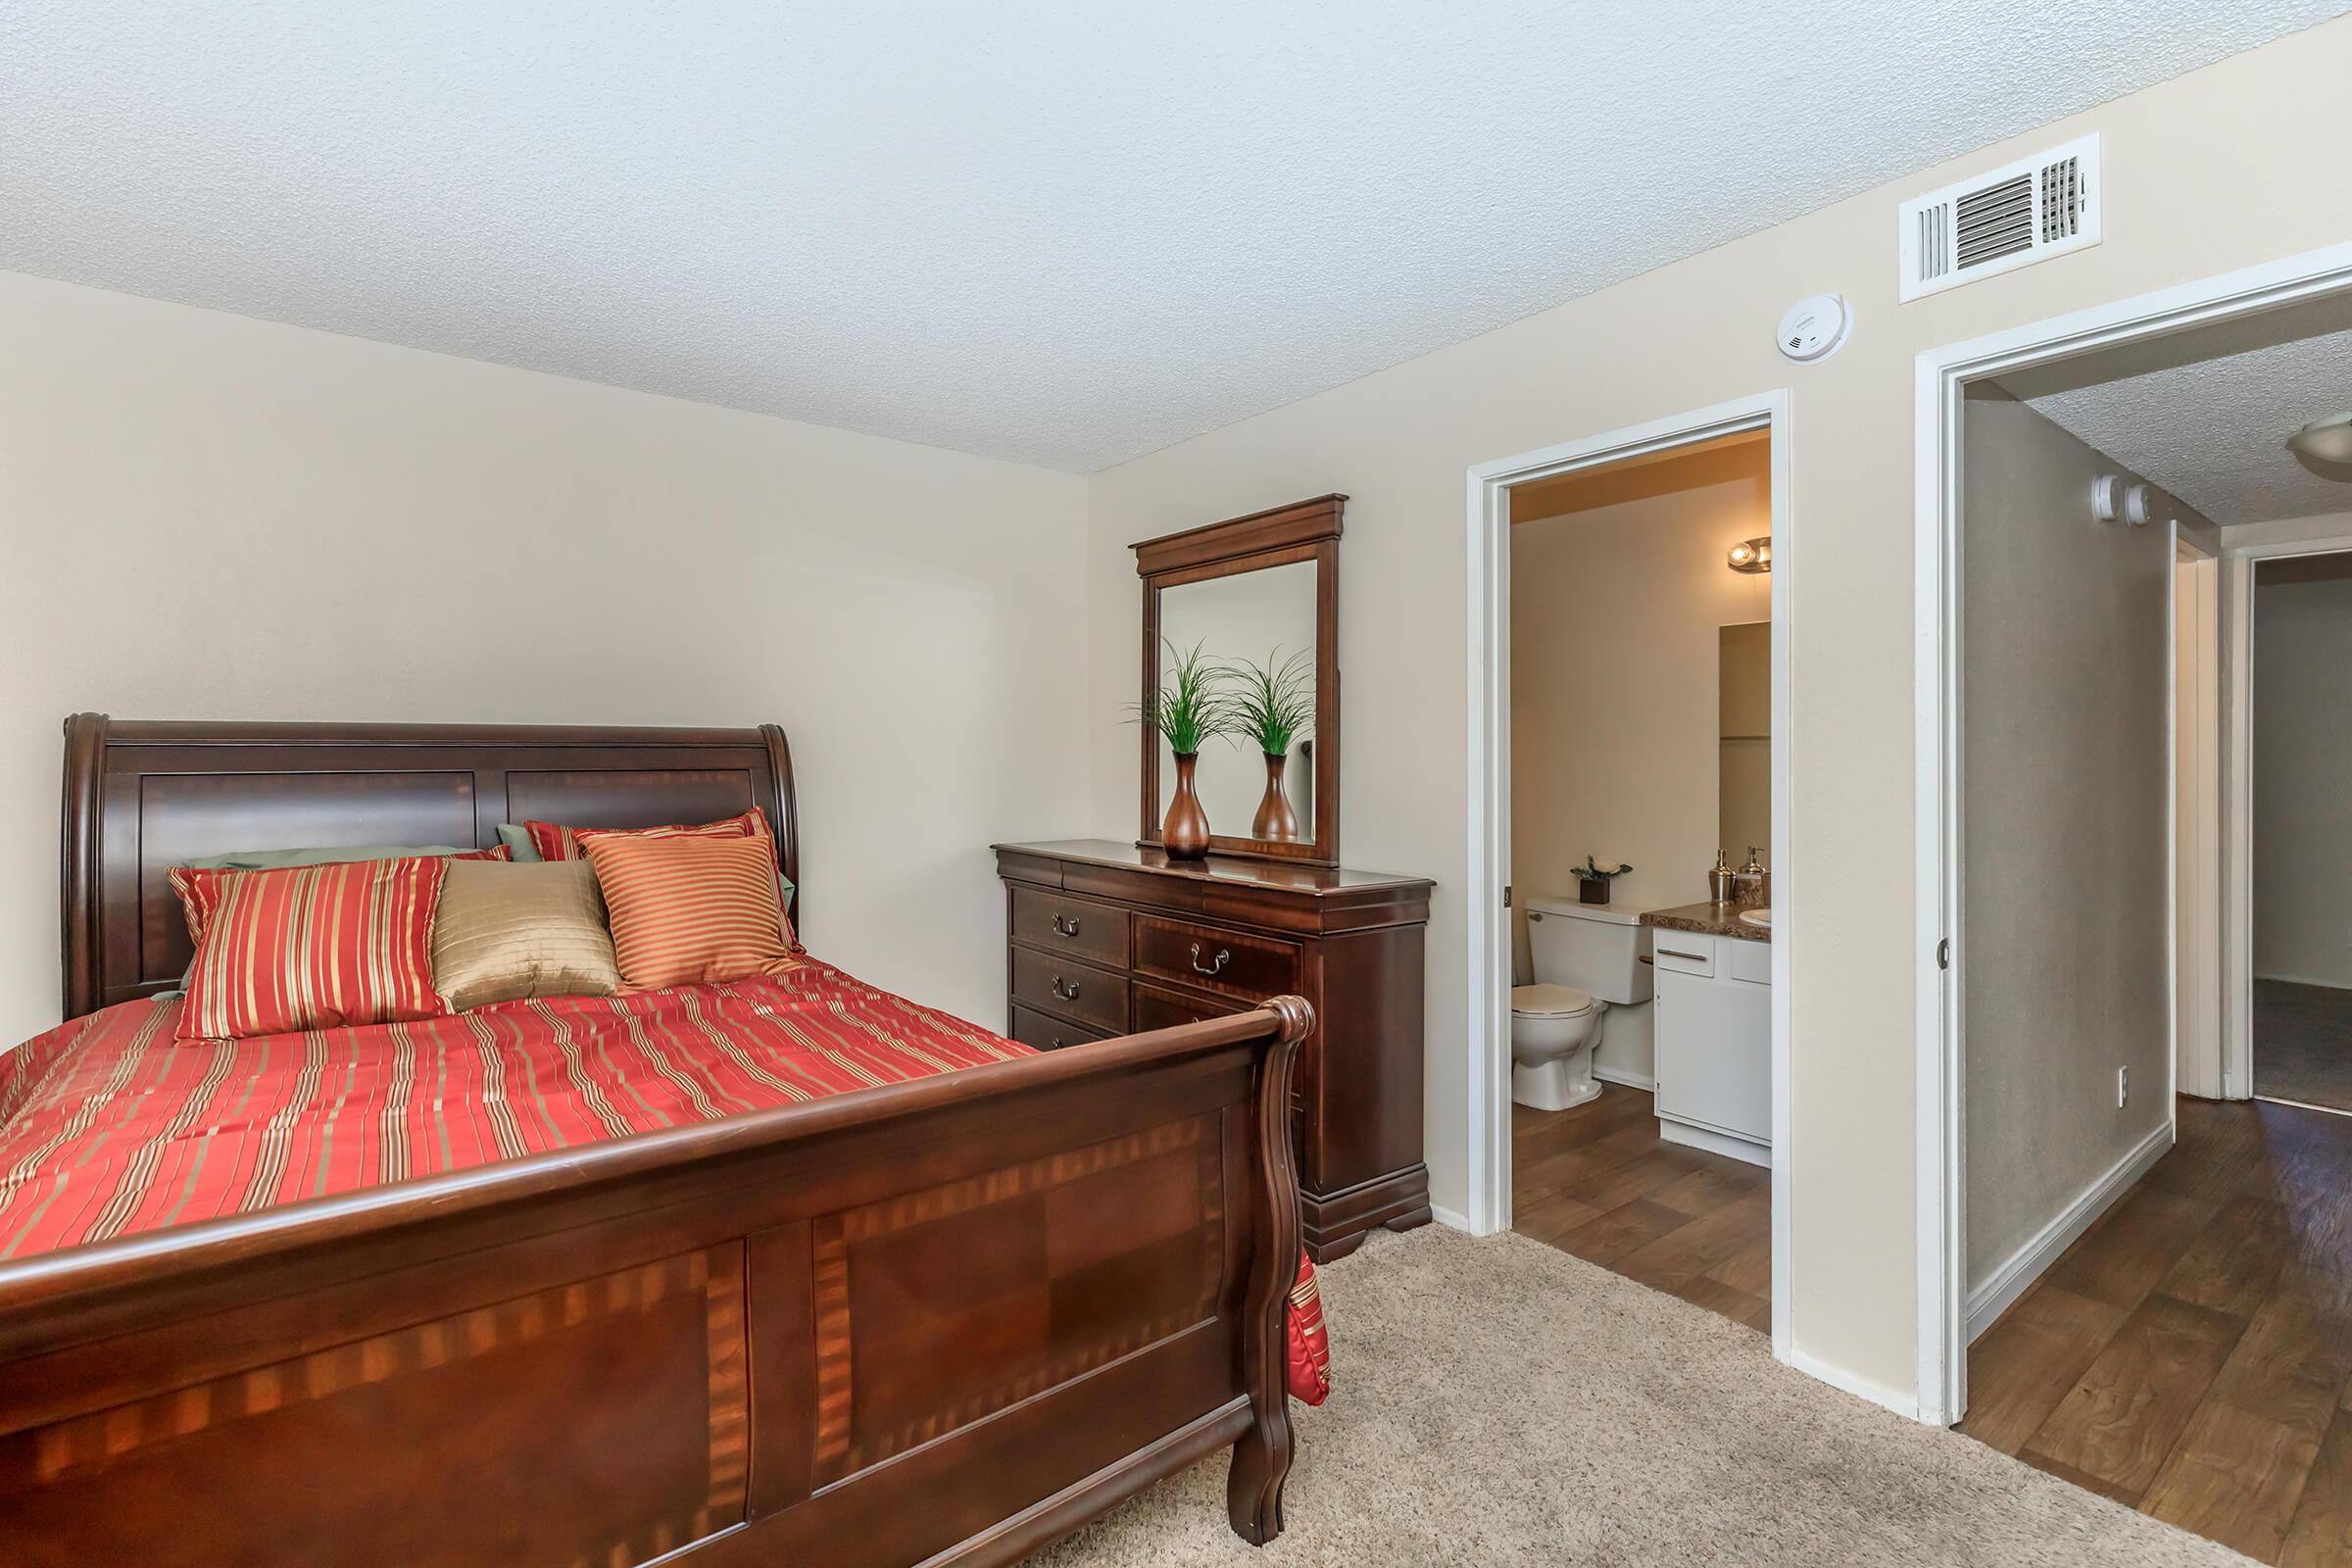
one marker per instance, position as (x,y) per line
(112,1127)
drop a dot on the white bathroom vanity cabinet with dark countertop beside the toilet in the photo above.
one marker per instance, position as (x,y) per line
(1713,1031)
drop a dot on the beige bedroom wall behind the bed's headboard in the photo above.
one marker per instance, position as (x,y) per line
(206,516)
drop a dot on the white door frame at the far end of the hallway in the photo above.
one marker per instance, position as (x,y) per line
(2238,565)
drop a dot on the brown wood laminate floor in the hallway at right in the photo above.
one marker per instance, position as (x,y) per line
(2193,1353)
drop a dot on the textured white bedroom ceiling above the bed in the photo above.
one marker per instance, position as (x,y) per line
(1050,232)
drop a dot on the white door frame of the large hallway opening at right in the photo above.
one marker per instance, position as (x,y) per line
(1942,377)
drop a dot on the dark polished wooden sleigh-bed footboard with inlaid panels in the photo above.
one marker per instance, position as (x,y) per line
(930,1322)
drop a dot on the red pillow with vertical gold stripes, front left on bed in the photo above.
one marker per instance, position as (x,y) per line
(309,946)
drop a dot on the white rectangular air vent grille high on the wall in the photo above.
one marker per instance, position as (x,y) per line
(2033,210)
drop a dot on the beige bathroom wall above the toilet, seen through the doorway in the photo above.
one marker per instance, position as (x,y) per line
(1615,629)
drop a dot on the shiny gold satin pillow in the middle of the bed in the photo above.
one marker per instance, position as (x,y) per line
(507,932)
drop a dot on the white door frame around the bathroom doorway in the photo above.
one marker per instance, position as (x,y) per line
(1488,1026)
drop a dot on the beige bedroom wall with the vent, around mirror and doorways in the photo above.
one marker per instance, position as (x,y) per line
(2205,175)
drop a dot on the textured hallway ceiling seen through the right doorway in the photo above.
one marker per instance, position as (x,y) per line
(2207,415)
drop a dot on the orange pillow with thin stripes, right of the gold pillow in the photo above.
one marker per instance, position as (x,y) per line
(693,911)
